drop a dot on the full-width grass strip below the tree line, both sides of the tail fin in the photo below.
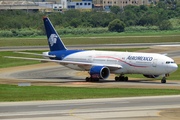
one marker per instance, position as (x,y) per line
(90,40)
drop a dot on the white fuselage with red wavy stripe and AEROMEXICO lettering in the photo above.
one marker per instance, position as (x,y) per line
(131,62)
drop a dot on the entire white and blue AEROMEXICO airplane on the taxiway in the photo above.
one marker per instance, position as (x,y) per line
(100,64)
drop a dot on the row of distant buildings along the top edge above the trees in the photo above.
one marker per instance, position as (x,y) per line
(62,5)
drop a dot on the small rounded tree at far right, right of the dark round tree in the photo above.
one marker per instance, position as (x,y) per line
(165,25)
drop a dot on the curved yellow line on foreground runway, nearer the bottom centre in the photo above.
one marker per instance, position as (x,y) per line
(70,112)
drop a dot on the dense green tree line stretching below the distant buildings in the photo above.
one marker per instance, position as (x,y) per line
(153,15)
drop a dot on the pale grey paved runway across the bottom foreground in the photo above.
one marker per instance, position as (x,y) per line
(133,108)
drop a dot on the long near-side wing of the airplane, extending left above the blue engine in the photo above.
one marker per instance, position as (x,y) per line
(111,66)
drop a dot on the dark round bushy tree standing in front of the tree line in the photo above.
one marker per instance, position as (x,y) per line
(116,25)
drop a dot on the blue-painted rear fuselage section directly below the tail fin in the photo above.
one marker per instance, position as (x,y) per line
(61,54)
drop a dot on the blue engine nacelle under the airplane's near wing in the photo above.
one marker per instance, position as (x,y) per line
(99,72)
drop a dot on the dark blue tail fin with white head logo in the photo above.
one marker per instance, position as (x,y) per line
(55,42)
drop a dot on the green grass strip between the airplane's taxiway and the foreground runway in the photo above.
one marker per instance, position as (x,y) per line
(32,93)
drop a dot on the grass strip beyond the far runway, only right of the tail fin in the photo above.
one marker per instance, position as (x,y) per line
(86,41)
